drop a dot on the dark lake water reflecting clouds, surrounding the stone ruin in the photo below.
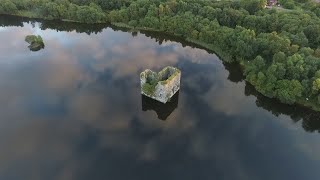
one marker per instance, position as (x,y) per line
(74,111)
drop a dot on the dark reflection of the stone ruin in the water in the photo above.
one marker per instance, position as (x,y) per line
(163,110)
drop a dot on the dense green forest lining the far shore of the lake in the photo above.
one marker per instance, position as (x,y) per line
(277,48)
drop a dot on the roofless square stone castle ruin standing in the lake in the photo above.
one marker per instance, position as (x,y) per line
(160,86)
